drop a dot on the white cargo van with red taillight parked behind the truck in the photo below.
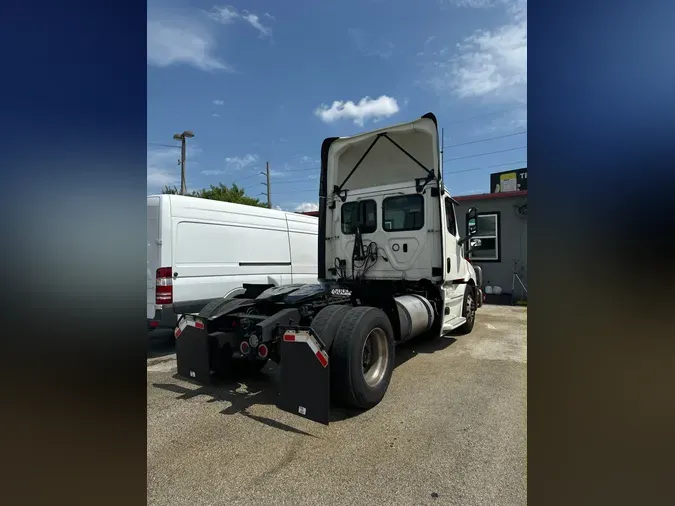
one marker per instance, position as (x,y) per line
(200,249)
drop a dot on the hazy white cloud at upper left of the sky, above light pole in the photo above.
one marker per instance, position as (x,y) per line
(174,40)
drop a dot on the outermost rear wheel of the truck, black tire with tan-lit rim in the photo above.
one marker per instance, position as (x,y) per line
(362,358)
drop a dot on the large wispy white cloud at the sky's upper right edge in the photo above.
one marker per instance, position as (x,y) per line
(489,64)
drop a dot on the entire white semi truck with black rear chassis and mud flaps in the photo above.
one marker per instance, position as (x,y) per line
(393,266)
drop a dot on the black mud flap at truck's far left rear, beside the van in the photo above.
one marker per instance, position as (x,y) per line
(193,358)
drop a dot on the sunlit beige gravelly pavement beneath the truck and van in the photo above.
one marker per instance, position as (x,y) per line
(452,429)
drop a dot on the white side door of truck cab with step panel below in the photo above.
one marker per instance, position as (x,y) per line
(454,269)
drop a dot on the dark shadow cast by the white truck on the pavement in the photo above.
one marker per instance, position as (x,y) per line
(263,388)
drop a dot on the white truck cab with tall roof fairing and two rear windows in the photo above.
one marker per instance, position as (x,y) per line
(386,218)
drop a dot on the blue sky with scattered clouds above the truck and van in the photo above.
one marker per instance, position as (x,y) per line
(266,81)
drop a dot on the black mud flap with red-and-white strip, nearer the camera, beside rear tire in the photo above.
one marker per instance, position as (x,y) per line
(305,376)
